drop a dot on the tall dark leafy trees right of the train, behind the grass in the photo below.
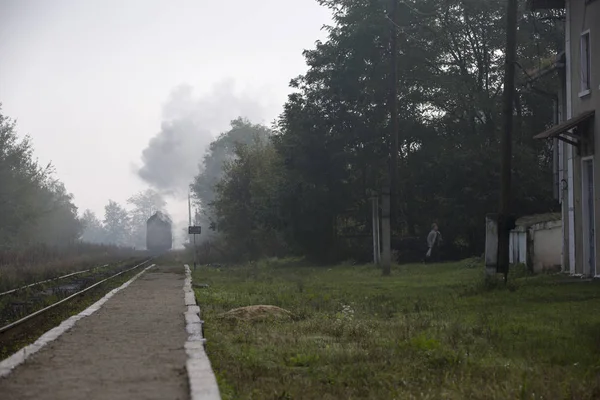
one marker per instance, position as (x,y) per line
(303,186)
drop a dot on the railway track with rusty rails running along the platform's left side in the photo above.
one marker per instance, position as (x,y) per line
(70,291)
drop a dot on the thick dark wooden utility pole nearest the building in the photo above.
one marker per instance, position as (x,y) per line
(505,220)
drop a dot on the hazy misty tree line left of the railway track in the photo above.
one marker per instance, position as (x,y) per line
(36,209)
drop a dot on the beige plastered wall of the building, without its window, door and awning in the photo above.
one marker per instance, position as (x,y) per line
(584,17)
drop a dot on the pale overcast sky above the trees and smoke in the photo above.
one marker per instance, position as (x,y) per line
(91,81)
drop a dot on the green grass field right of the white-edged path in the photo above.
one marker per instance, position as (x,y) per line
(427,332)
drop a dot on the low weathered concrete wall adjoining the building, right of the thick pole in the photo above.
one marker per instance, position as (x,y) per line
(547,252)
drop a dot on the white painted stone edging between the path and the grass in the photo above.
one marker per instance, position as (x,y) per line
(203,383)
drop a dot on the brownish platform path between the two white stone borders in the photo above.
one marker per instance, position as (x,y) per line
(132,348)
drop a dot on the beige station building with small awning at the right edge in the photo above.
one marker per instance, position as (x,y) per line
(576,134)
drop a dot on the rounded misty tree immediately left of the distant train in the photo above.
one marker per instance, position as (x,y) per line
(144,205)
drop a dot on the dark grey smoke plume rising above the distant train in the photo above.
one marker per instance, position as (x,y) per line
(170,161)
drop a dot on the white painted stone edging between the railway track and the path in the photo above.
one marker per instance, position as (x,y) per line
(7,365)
